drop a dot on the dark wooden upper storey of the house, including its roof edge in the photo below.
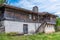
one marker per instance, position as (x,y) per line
(19,14)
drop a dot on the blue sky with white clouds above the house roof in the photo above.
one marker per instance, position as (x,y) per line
(51,6)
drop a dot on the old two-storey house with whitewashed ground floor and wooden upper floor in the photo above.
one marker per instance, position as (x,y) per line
(23,21)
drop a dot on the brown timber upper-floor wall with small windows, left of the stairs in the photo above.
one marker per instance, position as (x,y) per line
(12,14)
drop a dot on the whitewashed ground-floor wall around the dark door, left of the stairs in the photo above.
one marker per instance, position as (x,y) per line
(14,26)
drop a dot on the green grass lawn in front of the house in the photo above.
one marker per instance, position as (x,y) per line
(53,36)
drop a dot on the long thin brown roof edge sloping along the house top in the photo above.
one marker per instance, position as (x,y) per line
(25,10)
